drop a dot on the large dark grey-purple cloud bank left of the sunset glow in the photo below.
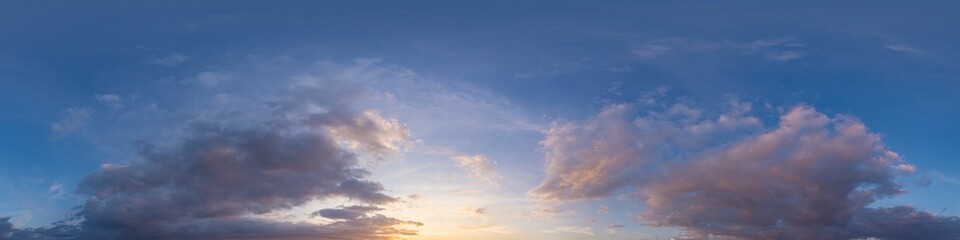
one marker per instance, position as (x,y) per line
(219,173)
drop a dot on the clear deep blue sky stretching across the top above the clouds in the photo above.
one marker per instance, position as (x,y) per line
(551,58)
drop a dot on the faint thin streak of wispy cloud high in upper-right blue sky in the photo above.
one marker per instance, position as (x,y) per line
(772,49)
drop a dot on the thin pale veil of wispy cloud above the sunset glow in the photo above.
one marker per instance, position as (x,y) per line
(422,100)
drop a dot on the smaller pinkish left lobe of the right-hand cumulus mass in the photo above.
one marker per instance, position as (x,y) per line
(609,151)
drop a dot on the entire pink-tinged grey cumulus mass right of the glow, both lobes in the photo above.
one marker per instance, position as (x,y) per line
(811,176)
